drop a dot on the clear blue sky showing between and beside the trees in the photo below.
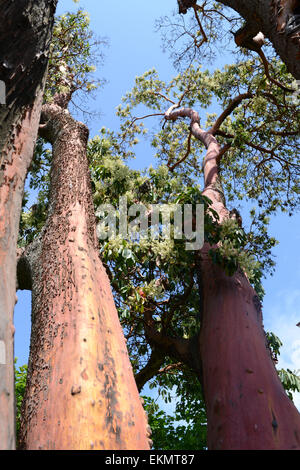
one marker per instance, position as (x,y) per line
(134,48)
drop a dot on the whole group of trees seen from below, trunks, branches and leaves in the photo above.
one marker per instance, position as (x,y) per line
(110,315)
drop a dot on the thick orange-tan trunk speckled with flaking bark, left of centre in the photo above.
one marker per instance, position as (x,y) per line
(81,392)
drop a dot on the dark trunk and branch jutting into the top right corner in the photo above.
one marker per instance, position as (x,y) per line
(278,20)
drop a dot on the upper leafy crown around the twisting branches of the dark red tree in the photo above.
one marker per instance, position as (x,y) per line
(261,164)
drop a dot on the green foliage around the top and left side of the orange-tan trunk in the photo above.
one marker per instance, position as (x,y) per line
(74,54)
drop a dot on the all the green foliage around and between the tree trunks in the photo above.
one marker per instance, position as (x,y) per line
(159,275)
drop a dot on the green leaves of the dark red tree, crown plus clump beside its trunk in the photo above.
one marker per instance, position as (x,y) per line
(260,166)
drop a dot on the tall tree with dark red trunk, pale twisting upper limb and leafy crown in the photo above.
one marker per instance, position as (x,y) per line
(247,407)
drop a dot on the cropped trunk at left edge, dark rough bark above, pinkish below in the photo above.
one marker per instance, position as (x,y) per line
(22,73)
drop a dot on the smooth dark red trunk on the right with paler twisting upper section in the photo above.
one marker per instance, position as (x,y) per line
(247,407)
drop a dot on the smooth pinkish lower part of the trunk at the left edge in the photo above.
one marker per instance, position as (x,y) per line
(11,193)
